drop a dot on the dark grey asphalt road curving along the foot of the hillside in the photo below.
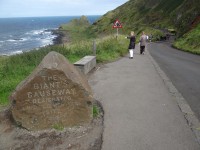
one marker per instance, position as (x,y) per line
(182,68)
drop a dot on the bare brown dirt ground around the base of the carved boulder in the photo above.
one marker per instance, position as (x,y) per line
(86,137)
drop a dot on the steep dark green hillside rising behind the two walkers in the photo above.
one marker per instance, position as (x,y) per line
(152,16)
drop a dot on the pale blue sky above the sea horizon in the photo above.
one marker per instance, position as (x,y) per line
(35,8)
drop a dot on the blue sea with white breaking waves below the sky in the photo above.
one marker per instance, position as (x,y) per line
(19,35)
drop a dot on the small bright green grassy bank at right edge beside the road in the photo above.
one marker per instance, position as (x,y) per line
(190,41)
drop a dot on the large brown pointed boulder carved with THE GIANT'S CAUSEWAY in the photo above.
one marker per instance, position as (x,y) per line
(54,95)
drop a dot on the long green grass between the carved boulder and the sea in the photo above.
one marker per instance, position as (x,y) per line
(14,69)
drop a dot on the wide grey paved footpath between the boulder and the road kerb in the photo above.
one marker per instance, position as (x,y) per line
(140,113)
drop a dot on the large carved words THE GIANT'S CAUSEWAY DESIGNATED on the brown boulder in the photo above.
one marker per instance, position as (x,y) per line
(51,90)
